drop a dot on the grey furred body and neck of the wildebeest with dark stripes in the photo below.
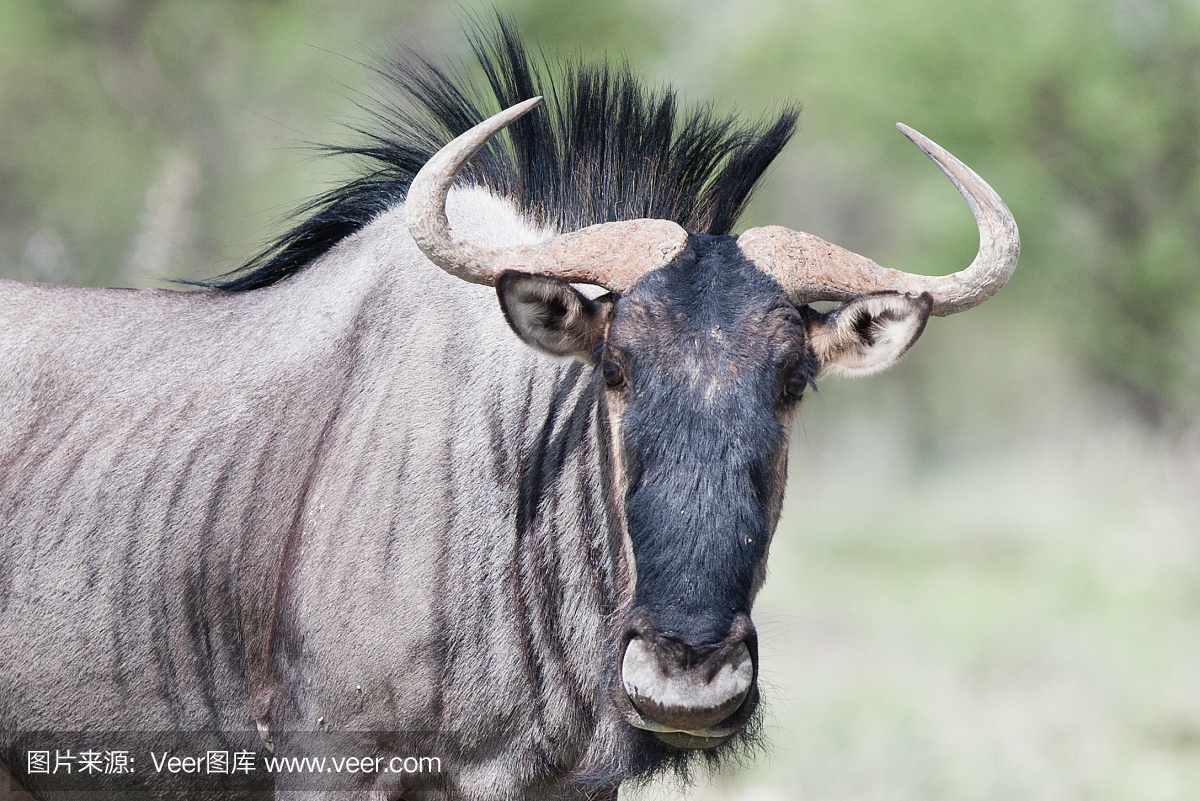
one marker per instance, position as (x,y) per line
(301,504)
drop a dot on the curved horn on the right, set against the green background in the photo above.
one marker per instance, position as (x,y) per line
(811,269)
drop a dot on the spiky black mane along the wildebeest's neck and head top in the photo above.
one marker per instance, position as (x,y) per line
(603,148)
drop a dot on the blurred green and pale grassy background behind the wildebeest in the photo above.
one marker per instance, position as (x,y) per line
(987,585)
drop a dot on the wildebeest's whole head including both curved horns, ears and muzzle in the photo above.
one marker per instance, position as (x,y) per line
(704,350)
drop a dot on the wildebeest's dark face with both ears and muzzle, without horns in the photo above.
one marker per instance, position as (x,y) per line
(703,368)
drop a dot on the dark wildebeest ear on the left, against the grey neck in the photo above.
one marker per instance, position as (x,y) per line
(553,316)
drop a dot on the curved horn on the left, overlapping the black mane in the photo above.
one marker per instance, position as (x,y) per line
(614,256)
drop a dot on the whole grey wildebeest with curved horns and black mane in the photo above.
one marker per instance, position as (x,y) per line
(334,493)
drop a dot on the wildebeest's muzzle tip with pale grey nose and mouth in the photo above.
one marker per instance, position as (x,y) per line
(687,698)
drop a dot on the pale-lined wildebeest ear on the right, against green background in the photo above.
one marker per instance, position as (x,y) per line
(868,334)
